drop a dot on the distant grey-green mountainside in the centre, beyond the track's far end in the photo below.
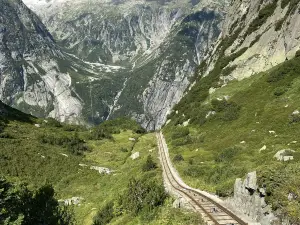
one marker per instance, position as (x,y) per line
(158,43)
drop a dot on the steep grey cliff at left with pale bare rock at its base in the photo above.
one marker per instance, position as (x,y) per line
(30,78)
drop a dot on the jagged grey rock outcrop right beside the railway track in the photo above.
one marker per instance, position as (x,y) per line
(250,200)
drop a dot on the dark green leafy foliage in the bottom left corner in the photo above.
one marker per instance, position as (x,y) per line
(19,205)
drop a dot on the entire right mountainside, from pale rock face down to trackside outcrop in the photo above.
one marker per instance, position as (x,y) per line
(242,113)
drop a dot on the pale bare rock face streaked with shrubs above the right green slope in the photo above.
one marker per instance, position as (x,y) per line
(265,33)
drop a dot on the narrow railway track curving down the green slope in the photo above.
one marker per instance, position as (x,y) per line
(212,212)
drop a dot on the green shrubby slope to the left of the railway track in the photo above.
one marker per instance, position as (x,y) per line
(43,153)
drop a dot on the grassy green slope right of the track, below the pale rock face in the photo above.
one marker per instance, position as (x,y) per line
(229,128)
